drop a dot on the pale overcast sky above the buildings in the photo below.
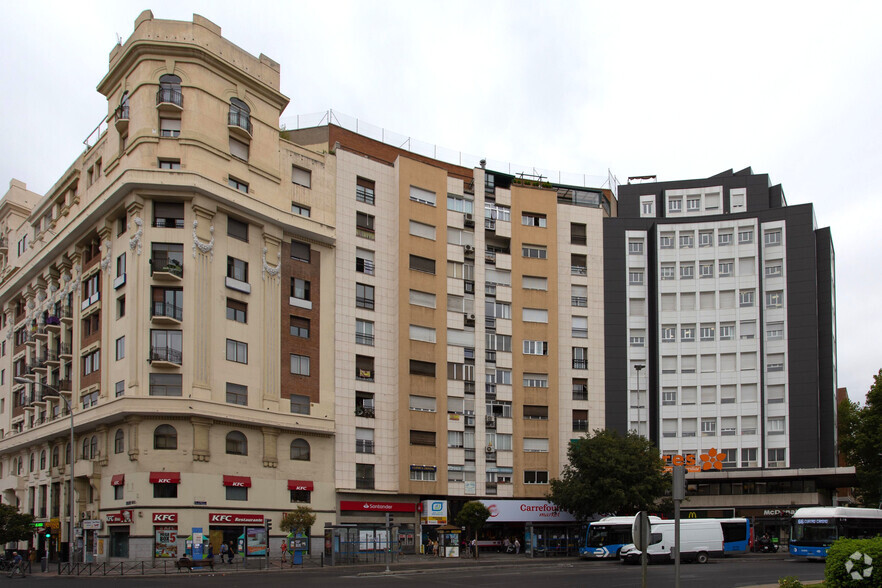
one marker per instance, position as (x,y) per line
(681,90)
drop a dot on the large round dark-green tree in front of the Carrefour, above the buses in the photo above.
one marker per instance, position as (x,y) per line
(610,473)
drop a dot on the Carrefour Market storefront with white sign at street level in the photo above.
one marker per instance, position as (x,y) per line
(541,528)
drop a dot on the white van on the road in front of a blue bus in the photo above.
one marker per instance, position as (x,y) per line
(699,540)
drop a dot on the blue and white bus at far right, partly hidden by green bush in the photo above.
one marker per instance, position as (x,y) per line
(813,530)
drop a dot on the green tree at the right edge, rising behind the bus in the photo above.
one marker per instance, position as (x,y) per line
(860,440)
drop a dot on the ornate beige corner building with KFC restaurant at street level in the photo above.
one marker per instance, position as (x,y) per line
(170,287)
